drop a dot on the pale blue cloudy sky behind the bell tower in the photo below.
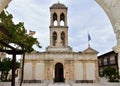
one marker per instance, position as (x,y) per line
(84,16)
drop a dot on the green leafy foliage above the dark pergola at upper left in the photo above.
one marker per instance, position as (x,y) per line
(16,33)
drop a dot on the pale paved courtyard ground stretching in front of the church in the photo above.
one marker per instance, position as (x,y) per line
(102,82)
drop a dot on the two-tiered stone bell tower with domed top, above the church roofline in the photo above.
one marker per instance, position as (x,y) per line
(58,28)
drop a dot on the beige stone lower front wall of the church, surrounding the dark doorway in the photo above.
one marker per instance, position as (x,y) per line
(41,67)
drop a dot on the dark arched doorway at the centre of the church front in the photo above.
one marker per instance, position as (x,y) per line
(59,73)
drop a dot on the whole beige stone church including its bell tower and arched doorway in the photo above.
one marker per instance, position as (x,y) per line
(59,63)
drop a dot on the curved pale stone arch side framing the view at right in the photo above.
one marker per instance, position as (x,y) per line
(112,7)
